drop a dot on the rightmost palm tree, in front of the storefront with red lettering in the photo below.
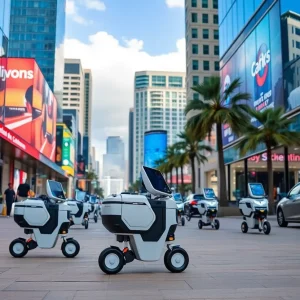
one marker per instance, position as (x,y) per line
(275,131)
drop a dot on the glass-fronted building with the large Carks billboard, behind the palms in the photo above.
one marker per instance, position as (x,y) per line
(260,44)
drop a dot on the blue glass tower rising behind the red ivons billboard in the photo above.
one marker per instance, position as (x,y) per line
(37,30)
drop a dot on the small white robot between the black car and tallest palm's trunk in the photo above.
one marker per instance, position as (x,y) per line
(208,209)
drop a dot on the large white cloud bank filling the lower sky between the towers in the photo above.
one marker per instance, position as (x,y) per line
(113,67)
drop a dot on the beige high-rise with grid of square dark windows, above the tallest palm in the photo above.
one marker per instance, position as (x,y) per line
(202,42)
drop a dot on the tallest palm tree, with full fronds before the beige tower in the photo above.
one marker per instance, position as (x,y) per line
(214,111)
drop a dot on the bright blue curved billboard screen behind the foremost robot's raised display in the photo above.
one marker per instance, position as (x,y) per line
(155,147)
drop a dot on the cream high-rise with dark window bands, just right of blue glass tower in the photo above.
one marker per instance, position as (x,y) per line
(73,89)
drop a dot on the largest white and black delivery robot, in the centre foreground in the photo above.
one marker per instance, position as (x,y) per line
(145,224)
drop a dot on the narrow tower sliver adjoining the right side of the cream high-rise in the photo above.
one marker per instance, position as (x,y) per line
(88,88)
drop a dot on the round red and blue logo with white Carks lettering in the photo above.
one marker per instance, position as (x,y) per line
(260,67)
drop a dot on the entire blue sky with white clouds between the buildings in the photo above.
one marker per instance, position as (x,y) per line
(116,38)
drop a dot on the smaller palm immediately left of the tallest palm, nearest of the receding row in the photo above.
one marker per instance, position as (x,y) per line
(193,149)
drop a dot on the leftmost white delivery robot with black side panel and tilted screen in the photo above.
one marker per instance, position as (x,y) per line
(44,218)
